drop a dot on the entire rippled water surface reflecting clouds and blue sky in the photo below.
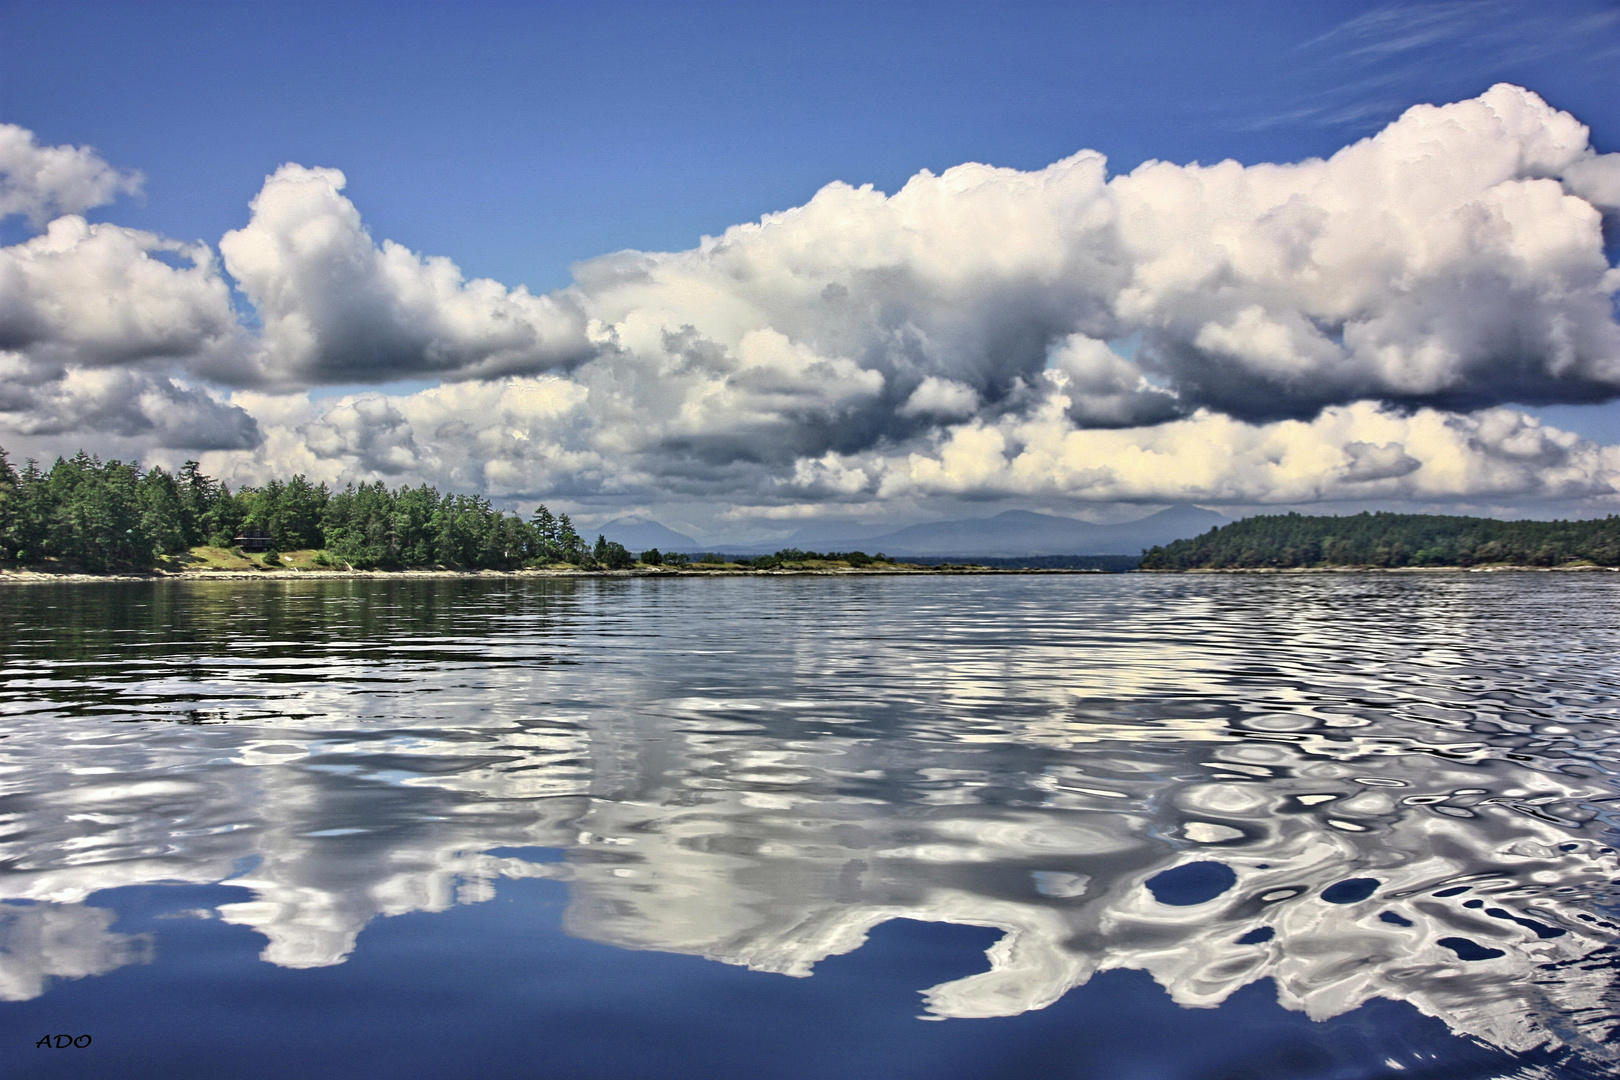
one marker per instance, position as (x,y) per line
(1111,827)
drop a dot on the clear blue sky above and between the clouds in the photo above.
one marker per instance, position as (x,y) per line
(521,140)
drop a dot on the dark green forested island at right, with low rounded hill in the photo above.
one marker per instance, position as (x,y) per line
(1391,540)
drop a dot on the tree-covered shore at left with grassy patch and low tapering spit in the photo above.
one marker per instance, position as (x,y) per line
(100,517)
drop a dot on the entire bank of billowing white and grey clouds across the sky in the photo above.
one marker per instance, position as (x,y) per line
(1355,328)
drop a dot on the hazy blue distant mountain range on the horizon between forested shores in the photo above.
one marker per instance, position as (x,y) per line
(1017,534)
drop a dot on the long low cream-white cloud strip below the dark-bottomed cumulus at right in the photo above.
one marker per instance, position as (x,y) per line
(1362,451)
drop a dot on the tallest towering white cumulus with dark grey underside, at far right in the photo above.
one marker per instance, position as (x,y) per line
(1438,263)
